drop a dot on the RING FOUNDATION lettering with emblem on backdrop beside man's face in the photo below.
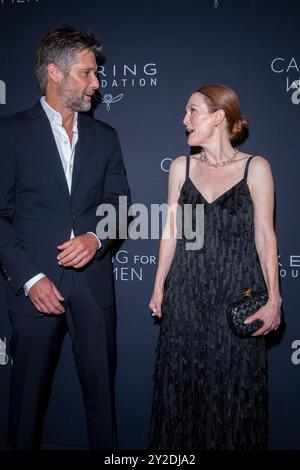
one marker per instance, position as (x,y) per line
(117,78)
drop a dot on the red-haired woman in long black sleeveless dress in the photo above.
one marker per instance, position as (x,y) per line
(210,389)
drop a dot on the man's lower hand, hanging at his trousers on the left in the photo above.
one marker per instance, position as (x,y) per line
(46,297)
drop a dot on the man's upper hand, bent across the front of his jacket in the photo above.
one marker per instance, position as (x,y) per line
(78,251)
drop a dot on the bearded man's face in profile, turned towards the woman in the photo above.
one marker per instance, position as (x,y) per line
(78,86)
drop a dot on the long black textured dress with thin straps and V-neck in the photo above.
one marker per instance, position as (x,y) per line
(210,386)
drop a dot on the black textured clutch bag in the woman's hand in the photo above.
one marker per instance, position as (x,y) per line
(247,305)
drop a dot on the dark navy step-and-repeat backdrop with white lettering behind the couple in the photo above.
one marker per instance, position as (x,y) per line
(157,53)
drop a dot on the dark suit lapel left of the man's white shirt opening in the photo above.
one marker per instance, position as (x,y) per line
(45,144)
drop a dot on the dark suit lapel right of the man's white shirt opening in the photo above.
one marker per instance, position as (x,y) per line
(82,151)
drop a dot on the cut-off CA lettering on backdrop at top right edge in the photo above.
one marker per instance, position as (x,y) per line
(289,69)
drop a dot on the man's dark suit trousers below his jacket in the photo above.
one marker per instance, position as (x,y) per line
(35,348)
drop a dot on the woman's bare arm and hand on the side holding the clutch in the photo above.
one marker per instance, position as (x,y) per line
(262,191)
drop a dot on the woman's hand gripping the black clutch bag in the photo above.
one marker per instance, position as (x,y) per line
(269,314)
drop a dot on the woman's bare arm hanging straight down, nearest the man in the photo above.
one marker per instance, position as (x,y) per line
(168,240)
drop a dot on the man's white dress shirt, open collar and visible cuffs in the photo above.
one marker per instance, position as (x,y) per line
(66,150)
